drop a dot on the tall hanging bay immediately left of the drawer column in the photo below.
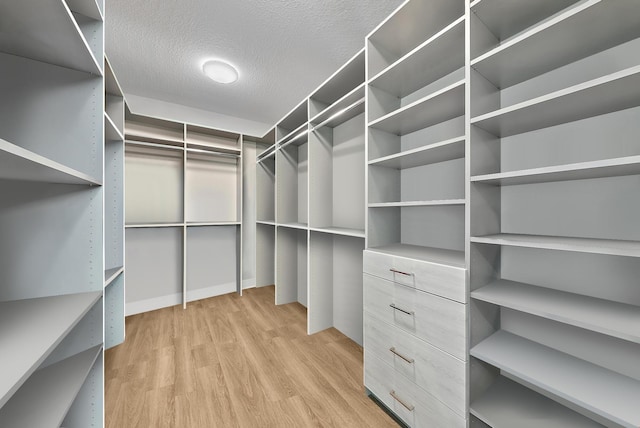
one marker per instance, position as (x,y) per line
(336,201)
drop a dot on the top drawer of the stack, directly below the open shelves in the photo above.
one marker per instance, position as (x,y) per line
(443,280)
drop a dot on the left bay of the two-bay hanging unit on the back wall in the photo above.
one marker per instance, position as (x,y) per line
(154,213)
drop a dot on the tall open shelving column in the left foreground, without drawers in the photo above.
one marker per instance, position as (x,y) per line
(51,214)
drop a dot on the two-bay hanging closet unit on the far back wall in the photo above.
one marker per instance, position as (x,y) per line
(183,212)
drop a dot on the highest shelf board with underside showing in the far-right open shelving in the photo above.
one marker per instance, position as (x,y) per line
(582,30)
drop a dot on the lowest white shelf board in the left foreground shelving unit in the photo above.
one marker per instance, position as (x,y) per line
(45,398)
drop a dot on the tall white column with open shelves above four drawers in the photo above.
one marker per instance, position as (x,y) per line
(415,293)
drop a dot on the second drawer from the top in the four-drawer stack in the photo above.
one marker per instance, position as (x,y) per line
(439,321)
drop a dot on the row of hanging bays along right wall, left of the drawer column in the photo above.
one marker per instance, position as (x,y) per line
(310,204)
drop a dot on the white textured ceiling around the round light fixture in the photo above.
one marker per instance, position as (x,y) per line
(283,50)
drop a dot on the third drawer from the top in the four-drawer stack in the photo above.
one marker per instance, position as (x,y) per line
(440,374)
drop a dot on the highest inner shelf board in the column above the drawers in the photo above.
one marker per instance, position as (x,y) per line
(441,54)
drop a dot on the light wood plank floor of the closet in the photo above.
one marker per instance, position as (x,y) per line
(233,361)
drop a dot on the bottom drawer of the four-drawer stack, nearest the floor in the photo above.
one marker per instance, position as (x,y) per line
(411,404)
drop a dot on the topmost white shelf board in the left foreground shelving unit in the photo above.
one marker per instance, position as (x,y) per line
(51,35)
